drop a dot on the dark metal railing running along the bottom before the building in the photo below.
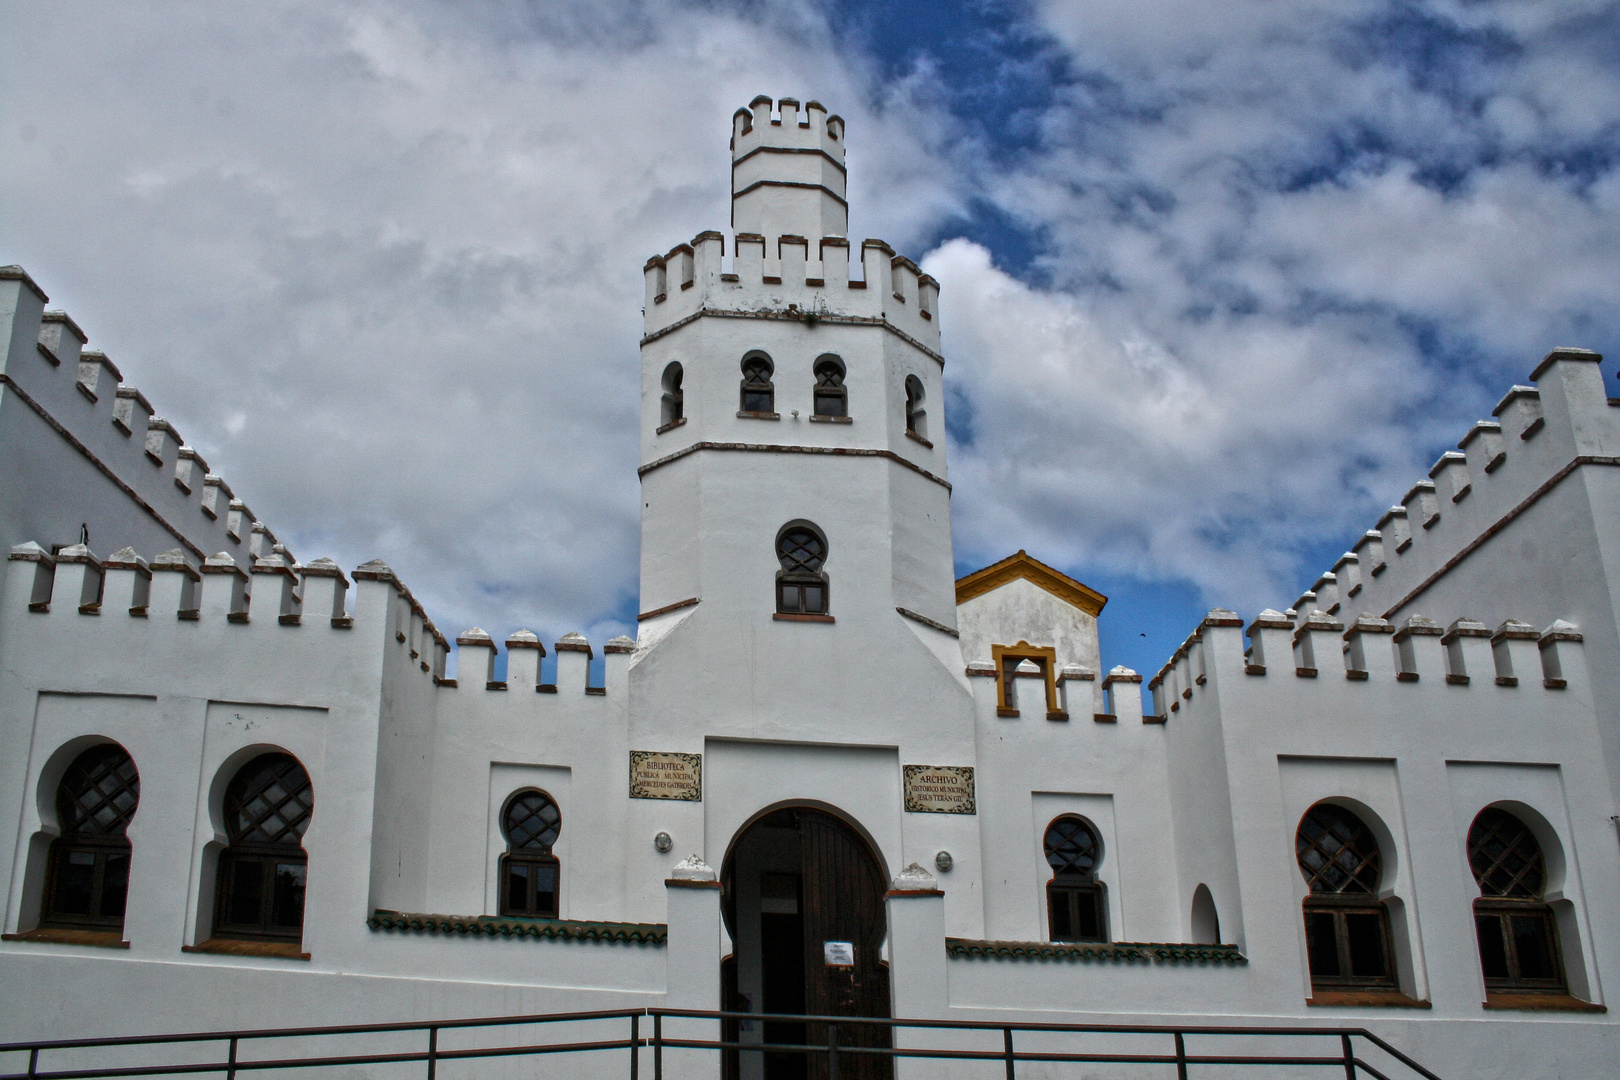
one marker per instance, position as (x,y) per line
(835,1050)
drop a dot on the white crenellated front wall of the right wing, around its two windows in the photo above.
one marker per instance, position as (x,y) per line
(1417,728)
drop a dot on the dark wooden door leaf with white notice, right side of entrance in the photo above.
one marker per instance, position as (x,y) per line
(843,903)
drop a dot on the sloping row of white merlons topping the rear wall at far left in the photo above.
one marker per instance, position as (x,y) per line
(100,427)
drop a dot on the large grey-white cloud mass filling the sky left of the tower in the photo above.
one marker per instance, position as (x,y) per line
(382,261)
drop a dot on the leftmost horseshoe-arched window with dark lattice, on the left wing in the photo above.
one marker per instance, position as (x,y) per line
(88,877)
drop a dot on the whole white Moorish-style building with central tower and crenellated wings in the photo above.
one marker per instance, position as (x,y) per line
(825,778)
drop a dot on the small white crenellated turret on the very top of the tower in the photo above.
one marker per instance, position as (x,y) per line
(788,171)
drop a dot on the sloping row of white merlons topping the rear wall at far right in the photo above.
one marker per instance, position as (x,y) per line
(1501,472)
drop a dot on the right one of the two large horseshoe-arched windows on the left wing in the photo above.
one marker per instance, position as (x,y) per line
(263,874)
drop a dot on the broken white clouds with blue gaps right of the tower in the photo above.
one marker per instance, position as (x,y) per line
(1295,249)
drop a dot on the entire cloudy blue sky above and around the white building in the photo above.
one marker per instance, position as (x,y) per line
(1219,281)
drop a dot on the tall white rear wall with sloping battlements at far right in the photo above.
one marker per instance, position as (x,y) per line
(1517,524)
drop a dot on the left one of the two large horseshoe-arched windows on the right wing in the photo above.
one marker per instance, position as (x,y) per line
(1347,925)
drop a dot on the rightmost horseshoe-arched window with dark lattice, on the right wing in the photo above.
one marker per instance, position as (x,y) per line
(1519,938)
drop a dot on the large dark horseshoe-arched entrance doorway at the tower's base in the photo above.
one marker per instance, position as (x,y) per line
(804,906)
